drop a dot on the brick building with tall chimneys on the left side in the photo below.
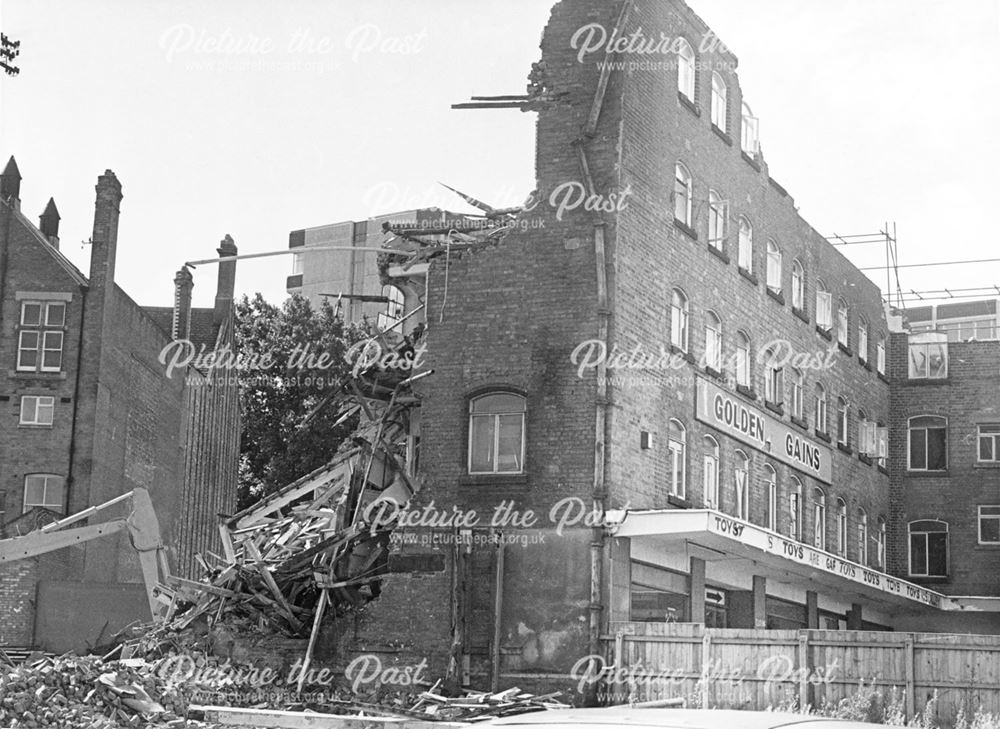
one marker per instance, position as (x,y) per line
(92,413)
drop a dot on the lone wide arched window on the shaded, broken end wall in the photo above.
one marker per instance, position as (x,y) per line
(496,433)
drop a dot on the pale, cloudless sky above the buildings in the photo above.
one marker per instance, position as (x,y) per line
(256,118)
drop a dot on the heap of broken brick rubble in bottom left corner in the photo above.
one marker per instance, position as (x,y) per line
(89,693)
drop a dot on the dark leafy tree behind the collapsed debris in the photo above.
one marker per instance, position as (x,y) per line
(295,356)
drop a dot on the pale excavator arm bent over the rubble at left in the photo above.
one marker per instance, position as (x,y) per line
(144,534)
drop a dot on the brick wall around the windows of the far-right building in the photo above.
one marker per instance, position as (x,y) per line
(970,395)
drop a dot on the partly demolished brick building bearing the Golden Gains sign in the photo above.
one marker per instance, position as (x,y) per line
(735,439)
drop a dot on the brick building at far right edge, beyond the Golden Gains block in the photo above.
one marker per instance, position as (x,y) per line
(945,486)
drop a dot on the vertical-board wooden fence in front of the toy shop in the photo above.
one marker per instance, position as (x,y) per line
(757,669)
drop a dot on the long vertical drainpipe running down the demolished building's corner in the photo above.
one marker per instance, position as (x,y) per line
(602,398)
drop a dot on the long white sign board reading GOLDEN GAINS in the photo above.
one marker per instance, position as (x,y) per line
(730,414)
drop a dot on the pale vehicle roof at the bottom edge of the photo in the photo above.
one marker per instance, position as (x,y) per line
(615,717)
